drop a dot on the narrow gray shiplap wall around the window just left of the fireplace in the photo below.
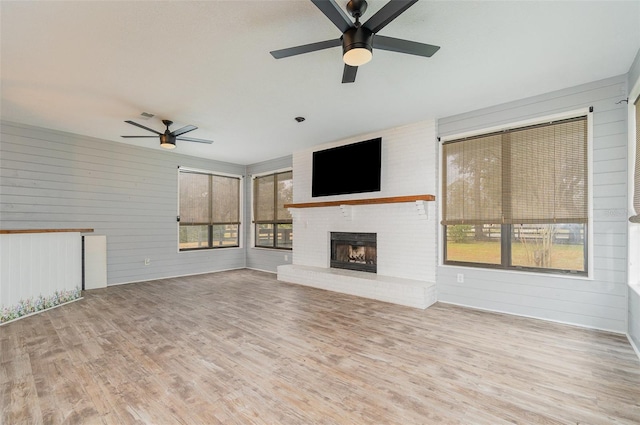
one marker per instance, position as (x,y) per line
(263,258)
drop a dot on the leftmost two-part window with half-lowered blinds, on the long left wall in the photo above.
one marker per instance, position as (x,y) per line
(209,210)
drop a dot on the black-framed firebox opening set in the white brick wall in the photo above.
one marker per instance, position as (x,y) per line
(354,251)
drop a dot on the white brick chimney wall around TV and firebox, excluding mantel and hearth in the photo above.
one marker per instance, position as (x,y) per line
(406,241)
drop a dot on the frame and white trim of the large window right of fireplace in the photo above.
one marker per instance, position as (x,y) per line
(505,242)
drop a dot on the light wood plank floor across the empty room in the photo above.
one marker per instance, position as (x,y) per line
(241,348)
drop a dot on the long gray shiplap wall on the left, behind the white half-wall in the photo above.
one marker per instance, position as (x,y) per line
(51,179)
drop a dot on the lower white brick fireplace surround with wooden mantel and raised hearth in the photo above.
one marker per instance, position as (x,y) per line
(396,221)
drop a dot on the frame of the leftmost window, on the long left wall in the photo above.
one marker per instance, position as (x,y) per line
(211,224)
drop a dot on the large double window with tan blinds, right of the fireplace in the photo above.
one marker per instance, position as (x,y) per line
(518,199)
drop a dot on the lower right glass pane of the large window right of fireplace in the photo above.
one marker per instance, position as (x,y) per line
(549,246)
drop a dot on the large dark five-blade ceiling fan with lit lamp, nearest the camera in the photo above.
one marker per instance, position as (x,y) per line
(358,40)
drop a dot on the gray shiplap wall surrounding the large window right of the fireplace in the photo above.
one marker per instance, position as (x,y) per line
(599,302)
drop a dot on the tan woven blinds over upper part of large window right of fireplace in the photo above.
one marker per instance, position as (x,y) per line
(529,175)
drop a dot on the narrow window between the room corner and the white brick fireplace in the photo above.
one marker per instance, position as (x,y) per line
(273,224)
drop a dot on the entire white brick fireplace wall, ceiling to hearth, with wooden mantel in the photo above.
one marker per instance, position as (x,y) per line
(405,224)
